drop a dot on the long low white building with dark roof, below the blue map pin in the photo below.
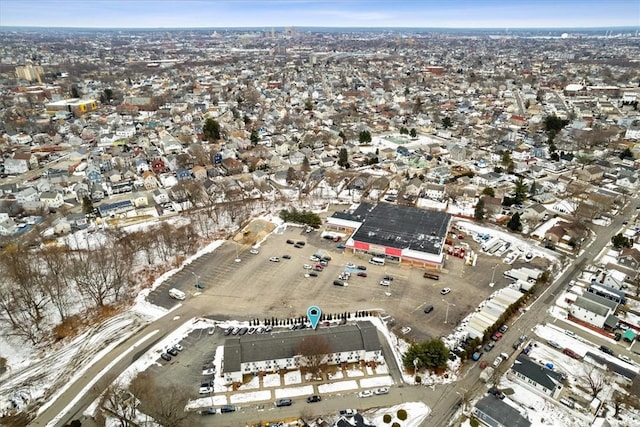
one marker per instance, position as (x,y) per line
(251,354)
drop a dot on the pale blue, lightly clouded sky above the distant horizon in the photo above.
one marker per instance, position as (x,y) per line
(320,13)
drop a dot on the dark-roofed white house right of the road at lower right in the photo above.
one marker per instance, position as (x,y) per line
(536,377)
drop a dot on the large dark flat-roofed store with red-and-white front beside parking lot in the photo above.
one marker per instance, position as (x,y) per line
(400,234)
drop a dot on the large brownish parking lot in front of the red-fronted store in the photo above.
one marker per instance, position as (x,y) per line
(257,288)
